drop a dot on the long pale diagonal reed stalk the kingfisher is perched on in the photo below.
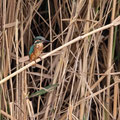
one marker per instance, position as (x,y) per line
(114,23)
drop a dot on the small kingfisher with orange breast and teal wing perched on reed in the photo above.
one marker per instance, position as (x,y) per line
(37,48)
